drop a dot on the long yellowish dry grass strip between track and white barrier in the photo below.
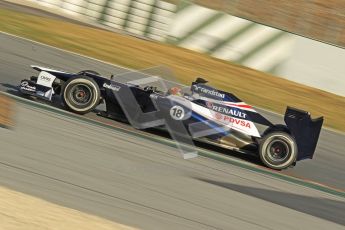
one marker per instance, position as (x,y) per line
(254,87)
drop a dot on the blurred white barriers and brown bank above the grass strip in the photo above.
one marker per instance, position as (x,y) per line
(301,41)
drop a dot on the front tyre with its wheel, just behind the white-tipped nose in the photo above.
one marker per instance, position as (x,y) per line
(80,94)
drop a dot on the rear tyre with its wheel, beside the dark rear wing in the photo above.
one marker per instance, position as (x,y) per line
(278,150)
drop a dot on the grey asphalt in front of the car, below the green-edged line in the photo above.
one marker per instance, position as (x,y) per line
(147,184)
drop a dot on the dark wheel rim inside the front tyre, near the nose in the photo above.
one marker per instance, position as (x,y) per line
(81,94)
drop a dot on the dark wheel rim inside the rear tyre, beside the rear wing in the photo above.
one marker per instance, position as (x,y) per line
(278,151)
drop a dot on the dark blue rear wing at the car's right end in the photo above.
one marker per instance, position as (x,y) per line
(304,129)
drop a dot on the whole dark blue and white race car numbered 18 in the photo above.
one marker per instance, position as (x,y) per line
(196,112)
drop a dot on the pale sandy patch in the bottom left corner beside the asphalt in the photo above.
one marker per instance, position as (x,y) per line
(21,211)
